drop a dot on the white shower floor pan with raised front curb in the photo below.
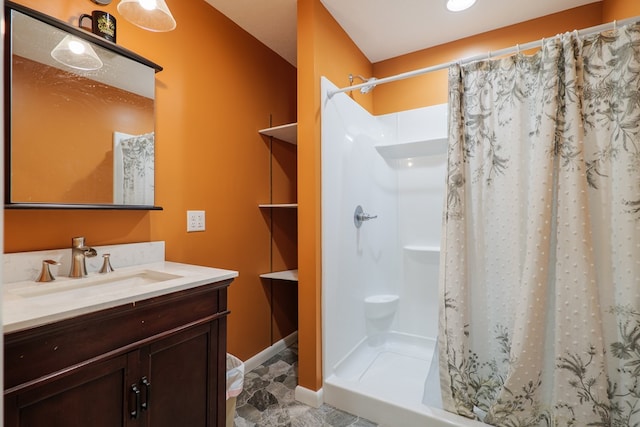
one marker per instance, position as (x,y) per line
(385,383)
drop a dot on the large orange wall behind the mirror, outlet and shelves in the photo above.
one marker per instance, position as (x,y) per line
(218,87)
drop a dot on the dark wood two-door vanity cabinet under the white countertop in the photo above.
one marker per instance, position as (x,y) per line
(158,362)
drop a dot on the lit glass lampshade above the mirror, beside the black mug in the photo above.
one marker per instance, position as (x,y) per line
(152,15)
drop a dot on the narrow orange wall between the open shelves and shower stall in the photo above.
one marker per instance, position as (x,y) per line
(324,49)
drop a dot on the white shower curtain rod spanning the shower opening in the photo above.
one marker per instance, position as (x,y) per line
(506,51)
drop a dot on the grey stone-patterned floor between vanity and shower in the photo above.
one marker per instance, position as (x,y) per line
(267,399)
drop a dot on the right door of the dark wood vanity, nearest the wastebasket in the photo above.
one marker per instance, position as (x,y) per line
(182,370)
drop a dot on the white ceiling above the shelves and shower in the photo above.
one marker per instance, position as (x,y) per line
(384,29)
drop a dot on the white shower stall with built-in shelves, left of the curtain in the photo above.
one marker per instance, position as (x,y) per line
(394,167)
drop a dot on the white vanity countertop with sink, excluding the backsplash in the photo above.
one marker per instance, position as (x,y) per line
(29,304)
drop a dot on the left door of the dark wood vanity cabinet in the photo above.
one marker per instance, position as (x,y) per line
(94,395)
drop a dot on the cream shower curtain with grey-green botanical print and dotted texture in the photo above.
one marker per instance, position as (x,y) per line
(540,267)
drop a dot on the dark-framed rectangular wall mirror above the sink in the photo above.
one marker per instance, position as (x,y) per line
(80,129)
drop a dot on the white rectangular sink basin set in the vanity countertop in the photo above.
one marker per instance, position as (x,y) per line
(135,278)
